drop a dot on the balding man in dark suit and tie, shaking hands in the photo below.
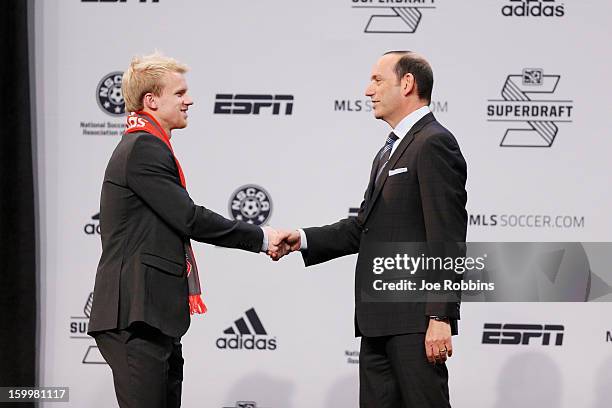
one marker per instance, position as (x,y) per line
(416,193)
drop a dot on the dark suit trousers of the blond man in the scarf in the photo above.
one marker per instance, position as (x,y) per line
(147,366)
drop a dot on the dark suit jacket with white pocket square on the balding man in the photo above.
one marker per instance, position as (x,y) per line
(424,204)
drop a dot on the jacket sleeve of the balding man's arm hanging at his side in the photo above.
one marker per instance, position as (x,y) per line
(442,173)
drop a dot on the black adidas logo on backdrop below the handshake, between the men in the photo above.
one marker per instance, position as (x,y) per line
(246,334)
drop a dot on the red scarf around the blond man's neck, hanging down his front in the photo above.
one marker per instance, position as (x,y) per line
(143,122)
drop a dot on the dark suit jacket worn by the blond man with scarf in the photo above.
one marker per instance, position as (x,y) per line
(145,217)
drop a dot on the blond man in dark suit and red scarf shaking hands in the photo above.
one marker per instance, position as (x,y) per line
(147,281)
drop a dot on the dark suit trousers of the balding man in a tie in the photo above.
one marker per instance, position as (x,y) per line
(394,373)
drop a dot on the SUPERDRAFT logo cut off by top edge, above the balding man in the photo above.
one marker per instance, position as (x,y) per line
(396,16)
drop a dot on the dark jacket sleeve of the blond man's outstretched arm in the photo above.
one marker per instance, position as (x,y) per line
(152,174)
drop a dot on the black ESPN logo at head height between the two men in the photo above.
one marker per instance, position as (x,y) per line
(252,104)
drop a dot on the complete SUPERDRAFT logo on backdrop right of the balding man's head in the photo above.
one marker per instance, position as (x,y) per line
(529,98)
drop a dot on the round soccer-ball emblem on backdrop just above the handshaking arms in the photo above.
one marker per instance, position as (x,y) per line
(251,204)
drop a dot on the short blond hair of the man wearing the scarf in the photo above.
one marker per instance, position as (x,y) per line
(145,75)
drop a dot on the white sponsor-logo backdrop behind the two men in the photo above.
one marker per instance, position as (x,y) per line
(282,134)
